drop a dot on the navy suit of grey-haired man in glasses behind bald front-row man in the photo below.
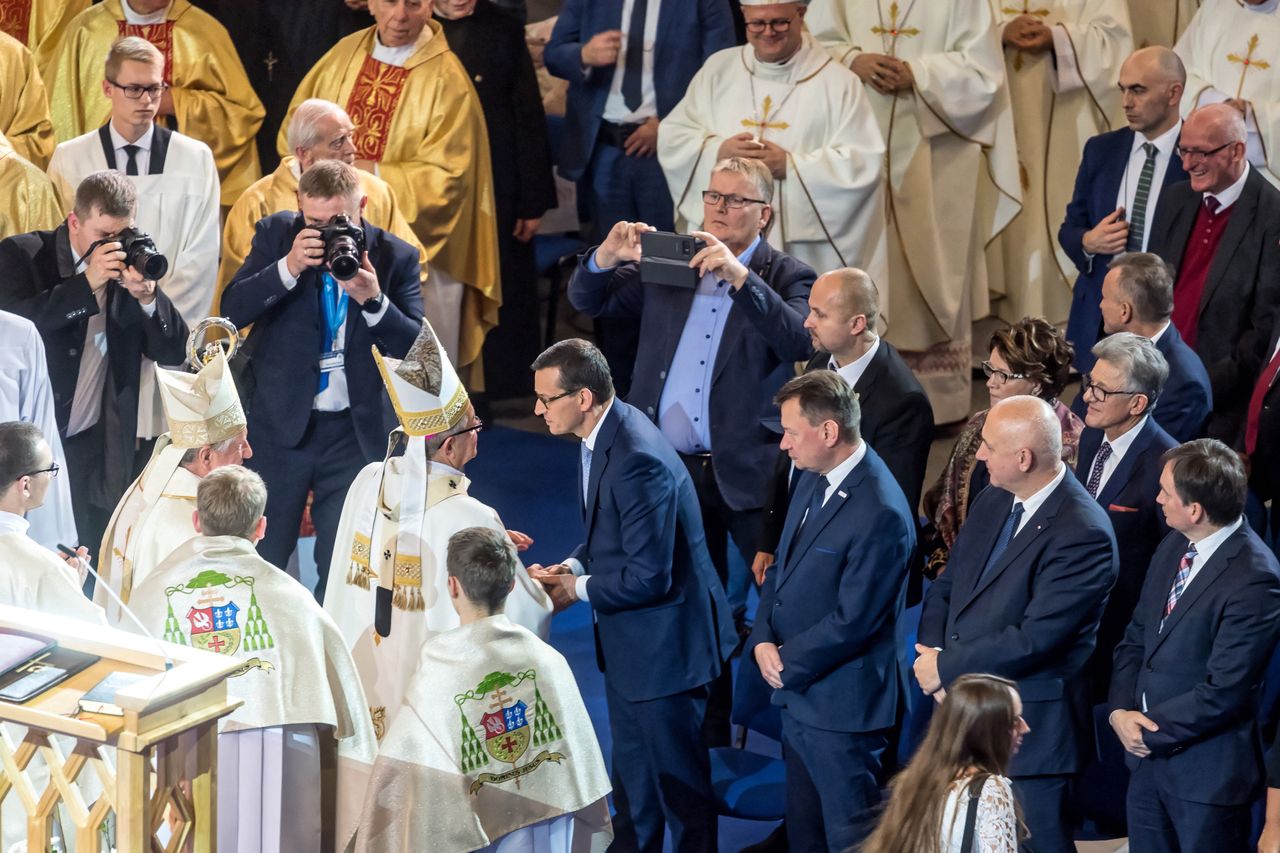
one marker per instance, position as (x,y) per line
(1130,500)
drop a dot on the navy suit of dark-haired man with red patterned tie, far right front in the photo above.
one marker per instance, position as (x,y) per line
(1200,678)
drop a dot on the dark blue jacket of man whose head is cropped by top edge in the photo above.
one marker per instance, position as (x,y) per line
(689,31)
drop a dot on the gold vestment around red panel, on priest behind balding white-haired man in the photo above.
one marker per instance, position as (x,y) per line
(436,157)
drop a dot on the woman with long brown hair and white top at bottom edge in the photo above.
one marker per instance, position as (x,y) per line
(954,797)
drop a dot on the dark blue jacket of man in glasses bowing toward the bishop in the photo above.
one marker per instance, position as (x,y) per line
(664,624)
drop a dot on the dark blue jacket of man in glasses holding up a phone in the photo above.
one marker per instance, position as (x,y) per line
(764,339)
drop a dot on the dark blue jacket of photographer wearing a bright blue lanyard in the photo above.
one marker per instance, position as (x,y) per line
(285,348)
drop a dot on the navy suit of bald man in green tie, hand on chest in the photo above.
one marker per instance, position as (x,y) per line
(1104,168)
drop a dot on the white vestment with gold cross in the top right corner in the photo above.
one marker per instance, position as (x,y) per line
(1233,52)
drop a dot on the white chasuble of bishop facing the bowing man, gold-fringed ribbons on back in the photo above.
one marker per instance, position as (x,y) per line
(397,519)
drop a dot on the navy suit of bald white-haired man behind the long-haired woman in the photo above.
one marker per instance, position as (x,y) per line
(1034,618)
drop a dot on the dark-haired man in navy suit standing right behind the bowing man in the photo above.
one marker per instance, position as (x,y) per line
(825,638)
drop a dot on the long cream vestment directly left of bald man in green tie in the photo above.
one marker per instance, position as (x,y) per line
(1062,98)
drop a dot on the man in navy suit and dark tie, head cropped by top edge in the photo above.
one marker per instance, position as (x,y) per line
(628,65)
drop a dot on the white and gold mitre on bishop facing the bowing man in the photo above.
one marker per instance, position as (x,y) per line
(424,387)
